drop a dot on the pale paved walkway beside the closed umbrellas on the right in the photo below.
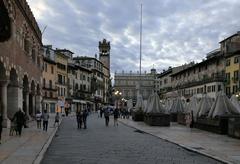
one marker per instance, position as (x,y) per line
(217,146)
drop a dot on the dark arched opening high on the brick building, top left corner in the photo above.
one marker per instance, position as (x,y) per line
(5,23)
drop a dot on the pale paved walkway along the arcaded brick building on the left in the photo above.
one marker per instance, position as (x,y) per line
(25,149)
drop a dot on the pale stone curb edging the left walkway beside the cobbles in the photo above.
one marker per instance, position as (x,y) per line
(40,155)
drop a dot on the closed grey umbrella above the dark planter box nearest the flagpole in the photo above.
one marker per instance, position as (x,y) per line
(154,105)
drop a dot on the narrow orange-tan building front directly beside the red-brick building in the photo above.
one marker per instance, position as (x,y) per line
(50,96)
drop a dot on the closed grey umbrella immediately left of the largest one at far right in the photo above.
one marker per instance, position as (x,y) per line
(204,106)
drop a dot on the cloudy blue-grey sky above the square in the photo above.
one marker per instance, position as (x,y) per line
(174,31)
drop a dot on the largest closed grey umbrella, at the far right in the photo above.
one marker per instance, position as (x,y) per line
(222,107)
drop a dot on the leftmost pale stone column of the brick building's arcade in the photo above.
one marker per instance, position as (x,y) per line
(3,93)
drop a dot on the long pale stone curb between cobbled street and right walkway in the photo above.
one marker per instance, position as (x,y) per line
(181,145)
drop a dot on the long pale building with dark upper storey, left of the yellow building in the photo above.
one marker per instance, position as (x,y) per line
(204,77)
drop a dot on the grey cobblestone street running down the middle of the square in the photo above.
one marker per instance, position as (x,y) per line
(114,145)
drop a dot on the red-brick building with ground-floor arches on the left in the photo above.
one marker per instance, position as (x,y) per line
(20,60)
